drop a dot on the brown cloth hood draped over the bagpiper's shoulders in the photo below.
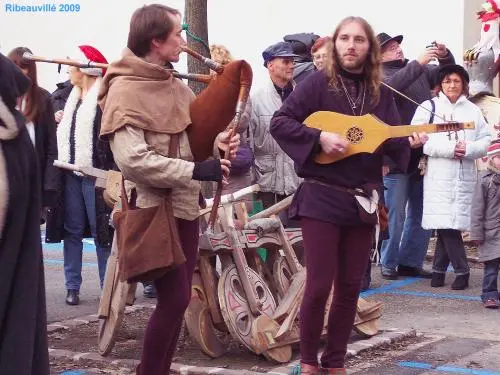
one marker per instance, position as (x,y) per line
(137,93)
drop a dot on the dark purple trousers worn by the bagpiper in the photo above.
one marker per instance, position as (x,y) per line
(173,296)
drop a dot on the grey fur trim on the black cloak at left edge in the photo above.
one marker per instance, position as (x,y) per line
(10,131)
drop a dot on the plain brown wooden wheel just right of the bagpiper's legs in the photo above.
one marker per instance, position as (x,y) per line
(199,321)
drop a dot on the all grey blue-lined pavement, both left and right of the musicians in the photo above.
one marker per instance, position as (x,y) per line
(458,335)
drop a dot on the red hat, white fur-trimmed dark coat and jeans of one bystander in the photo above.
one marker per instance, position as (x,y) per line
(81,206)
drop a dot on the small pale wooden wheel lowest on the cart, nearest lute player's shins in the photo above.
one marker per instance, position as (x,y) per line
(265,329)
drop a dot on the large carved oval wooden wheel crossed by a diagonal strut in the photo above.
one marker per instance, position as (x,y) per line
(234,306)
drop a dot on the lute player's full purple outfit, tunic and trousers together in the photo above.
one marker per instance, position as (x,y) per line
(337,235)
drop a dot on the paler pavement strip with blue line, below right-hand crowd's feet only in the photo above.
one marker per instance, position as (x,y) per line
(413,303)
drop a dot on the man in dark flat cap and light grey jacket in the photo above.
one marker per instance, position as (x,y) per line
(273,170)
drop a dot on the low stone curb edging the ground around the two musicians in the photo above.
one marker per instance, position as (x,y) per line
(386,337)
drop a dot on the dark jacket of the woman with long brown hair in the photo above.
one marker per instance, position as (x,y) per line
(46,150)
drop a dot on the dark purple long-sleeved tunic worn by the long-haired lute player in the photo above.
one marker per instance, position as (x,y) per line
(301,143)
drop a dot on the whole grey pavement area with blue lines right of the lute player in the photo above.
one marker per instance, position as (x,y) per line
(458,335)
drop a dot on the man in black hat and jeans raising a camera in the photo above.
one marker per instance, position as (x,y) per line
(403,253)
